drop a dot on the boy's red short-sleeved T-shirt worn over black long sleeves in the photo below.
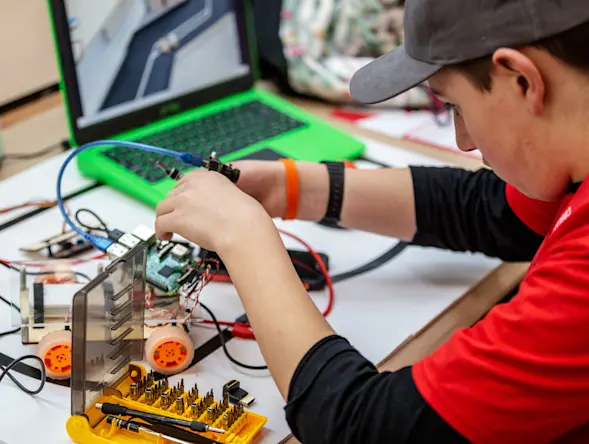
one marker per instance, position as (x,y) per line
(521,375)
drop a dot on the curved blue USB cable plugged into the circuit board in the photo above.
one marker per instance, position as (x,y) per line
(100,242)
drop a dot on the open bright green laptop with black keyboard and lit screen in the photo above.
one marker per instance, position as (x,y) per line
(179,74)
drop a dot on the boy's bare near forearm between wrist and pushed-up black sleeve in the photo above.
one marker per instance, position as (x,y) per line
(285,320)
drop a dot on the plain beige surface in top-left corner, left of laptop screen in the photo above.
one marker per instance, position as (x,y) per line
(27,54)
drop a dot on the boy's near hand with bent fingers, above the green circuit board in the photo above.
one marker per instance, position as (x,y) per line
(209,210)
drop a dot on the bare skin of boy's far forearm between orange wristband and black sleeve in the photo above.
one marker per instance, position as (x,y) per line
(380,201)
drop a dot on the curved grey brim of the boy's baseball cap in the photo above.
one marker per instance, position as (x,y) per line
(388,76)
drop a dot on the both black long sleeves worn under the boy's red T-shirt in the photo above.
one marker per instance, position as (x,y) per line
(338,396)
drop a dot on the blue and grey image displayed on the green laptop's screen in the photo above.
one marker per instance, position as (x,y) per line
(130,54)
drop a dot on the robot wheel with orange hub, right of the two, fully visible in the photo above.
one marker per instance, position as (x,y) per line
(169,350)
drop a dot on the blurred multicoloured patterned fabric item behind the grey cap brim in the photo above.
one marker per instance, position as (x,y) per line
(326,41)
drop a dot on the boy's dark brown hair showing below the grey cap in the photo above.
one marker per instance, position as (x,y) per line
(571,47)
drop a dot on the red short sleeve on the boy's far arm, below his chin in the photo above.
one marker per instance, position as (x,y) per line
(536,214)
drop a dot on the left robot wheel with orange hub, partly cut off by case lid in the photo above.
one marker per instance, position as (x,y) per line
(55,349)
